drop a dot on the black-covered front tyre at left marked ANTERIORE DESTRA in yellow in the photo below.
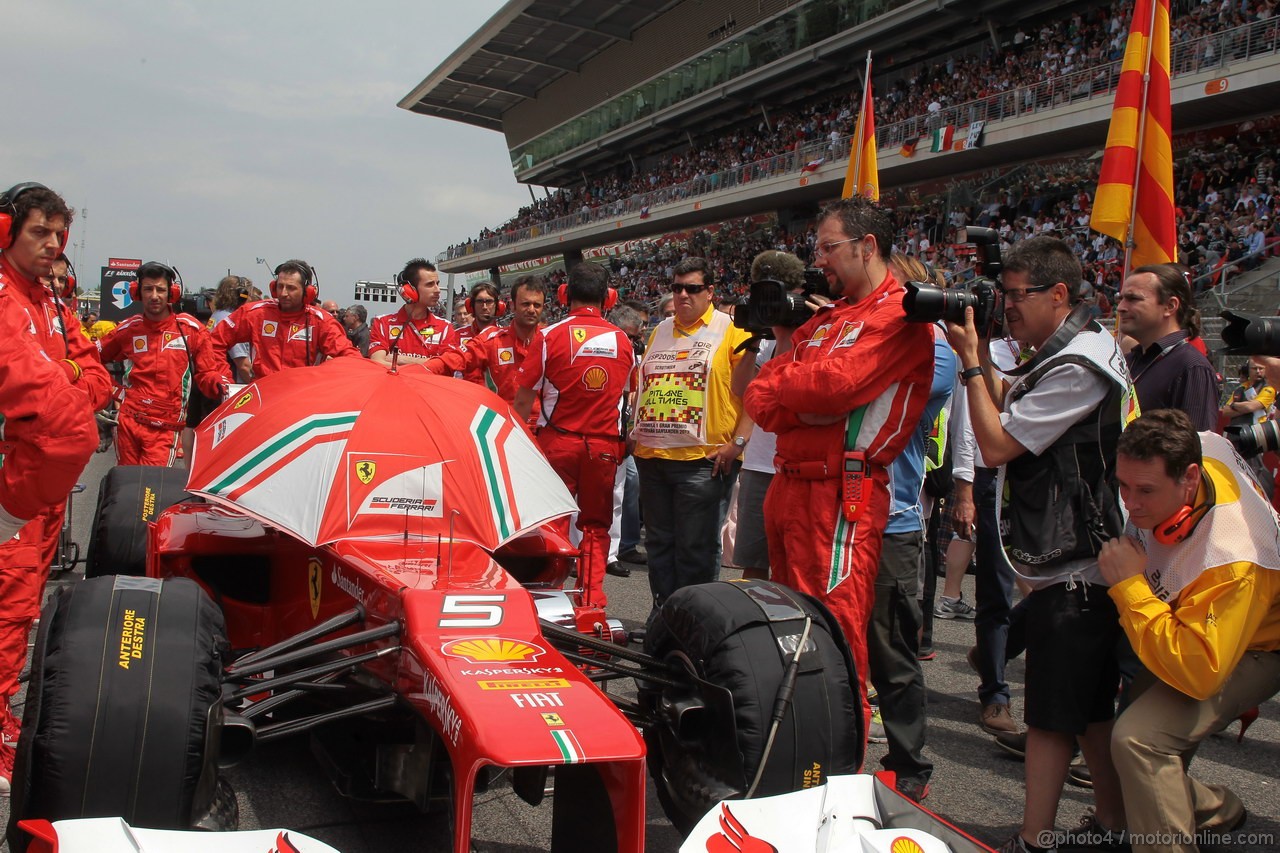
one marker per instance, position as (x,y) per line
(124,709)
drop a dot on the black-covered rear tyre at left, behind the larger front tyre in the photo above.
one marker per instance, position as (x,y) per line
(130,498)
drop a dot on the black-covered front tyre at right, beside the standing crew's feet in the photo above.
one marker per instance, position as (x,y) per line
(708,738)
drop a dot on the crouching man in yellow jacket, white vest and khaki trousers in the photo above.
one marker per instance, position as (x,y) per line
(1197,585)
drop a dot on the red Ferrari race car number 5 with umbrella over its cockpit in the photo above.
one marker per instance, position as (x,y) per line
(365,558)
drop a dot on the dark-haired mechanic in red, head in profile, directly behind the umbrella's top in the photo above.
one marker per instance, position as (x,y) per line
(414,332)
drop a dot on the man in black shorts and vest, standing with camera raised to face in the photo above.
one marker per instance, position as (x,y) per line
(1054,436)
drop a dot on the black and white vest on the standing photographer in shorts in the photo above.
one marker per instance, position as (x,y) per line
(1058,508)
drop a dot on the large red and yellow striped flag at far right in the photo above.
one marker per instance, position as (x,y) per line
(1136,186)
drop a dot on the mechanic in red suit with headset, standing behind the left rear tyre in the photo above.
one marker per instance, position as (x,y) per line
(164,353)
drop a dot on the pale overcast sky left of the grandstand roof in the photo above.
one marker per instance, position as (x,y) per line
(216,134)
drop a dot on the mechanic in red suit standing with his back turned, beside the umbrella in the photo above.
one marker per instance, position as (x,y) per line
(583,371)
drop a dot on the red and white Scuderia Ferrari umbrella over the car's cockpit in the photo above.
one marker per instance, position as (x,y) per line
(349,450)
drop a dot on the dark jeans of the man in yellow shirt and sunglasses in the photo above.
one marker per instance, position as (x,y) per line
(683,522)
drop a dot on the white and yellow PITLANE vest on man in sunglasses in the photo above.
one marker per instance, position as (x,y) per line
(671,410)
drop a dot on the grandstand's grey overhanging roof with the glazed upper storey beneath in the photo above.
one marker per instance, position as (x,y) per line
(540,70)
